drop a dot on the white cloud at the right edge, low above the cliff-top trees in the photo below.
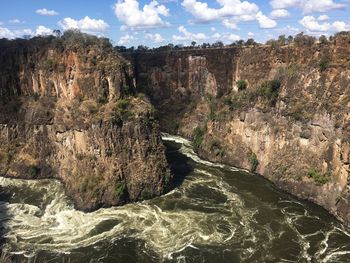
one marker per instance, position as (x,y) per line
(313,25)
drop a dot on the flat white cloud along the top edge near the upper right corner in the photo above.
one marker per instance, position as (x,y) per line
(308,6)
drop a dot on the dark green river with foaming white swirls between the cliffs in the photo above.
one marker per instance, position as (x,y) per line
(215,214)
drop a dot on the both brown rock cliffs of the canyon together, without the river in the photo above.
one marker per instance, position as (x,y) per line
(74,109)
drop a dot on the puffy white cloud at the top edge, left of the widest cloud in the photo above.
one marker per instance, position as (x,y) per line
(129,12)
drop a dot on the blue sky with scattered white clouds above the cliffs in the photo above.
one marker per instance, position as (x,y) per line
(156,23)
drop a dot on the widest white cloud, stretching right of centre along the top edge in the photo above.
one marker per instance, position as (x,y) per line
(230,12)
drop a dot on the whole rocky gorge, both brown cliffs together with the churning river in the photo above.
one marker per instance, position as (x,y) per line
(74,109)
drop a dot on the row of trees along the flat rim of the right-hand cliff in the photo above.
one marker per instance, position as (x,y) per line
(300,39)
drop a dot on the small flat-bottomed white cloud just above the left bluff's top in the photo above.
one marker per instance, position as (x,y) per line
(86,24)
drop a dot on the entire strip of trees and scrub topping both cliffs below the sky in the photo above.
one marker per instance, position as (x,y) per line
(73,39)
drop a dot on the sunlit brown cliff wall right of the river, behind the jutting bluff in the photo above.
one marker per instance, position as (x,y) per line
(291,123)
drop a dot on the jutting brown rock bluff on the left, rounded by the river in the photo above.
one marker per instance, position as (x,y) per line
(67,112)
